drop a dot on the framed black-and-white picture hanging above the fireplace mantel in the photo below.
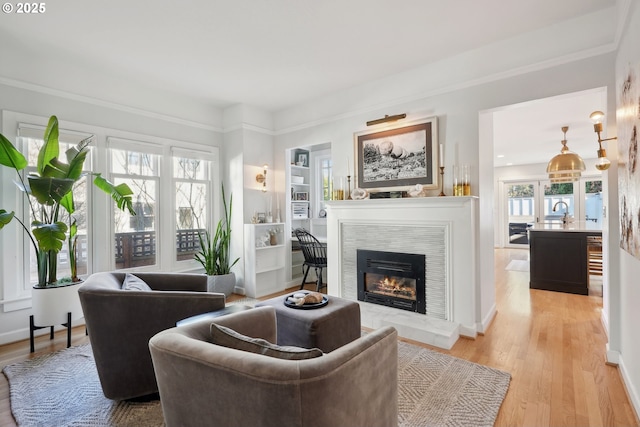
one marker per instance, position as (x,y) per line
(398,158)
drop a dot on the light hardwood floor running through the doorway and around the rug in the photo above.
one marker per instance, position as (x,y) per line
(553,344)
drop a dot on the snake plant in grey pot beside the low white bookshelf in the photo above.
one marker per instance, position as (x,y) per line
(214,253)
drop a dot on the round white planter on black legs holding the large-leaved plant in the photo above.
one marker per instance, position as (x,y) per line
(51,305)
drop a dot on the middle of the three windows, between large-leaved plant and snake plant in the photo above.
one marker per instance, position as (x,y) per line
(136,236)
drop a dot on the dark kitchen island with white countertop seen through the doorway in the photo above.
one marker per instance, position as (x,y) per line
(559,258)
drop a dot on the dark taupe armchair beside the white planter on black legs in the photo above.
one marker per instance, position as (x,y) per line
(122,311)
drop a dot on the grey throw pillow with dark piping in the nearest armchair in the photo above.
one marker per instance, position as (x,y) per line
(227,337)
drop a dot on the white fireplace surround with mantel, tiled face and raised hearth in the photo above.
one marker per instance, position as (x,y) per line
(441,228)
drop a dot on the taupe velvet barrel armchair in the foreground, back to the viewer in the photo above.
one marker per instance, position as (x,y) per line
(202,383)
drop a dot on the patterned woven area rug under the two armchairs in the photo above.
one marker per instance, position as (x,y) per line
(63,389)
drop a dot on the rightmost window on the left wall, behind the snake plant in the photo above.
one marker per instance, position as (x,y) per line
(192,200)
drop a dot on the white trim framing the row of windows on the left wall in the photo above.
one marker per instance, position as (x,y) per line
(15,292)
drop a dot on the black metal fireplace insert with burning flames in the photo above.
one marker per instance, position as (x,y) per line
(393,279)
